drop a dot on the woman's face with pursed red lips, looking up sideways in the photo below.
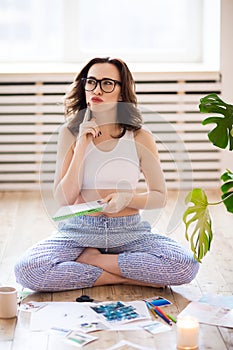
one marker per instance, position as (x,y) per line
(97,98)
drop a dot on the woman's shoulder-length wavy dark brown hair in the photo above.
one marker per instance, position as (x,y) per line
(128,115)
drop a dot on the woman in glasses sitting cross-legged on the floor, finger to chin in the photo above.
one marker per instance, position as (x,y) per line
(102,149)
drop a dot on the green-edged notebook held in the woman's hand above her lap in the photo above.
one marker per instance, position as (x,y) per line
(69,211)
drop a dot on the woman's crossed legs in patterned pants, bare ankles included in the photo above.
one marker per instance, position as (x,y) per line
(59,263)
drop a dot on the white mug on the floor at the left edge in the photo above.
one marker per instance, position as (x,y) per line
(8,302)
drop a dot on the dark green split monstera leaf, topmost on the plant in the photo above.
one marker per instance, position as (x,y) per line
(222,134)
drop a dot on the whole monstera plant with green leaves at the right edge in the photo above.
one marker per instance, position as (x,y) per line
(197,219)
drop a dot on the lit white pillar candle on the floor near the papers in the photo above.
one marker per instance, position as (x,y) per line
(187,333)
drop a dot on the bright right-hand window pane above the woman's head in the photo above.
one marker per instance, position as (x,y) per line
(148,30)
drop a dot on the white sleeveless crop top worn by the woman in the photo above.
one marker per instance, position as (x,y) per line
(116,169)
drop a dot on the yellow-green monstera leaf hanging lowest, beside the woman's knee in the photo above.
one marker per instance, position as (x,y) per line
(197,220)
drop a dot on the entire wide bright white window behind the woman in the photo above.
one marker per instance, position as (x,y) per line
(136,30)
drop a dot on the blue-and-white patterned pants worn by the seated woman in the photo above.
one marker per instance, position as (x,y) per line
(142,255)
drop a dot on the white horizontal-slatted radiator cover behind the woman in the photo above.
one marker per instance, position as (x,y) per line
(31,111)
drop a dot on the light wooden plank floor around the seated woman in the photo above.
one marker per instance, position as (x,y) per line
(24,220)
